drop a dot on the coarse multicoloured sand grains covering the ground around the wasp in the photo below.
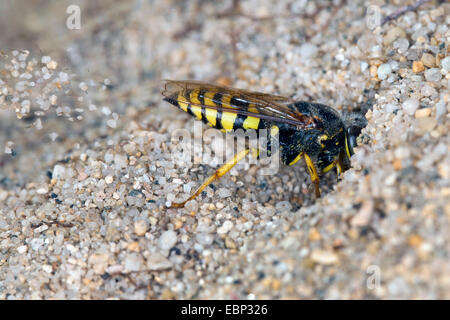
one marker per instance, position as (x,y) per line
(88,170)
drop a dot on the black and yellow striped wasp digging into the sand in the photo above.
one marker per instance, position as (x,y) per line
(312,131)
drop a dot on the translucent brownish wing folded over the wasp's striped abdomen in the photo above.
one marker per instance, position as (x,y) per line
(269,107)
